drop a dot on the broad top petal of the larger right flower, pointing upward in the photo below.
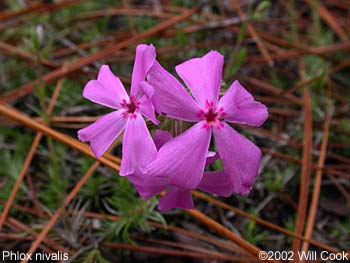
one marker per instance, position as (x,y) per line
(203,76)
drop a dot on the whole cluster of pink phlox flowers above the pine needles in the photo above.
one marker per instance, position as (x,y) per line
(177,165)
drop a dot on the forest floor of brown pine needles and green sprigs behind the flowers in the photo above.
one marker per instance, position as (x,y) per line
(55,197)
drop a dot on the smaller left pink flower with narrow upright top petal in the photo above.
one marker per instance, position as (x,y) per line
(108,90)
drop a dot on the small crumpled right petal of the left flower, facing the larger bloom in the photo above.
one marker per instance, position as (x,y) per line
(146,105)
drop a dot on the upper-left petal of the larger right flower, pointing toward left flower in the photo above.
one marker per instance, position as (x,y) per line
(170,97)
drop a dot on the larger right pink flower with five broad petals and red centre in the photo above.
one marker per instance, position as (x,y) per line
(181,161)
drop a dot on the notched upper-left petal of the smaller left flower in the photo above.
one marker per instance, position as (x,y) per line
(107,90)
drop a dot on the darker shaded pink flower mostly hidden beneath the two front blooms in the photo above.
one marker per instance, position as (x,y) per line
(176,196)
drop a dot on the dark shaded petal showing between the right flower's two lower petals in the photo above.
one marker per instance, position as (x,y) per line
(216,183)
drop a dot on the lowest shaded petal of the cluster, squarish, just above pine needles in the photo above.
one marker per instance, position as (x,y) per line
(176,197)
